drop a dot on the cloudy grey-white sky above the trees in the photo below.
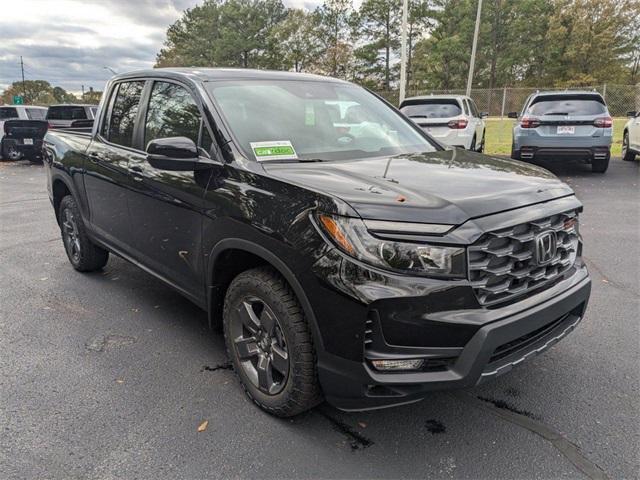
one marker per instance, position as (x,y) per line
(70,42)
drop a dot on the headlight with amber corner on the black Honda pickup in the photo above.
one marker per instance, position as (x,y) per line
(352,237)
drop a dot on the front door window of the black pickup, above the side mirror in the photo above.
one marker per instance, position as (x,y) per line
(172,112)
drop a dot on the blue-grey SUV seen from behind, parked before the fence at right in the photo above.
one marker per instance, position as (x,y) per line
(558,126)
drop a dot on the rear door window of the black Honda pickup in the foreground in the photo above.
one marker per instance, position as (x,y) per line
(123,113)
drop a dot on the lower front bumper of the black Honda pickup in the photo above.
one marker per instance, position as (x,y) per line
(504,338)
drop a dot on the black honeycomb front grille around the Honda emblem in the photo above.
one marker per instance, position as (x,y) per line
(502,263)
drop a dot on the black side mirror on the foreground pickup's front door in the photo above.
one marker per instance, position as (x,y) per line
(173,153)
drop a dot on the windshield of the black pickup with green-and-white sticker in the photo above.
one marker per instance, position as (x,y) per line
(313,121)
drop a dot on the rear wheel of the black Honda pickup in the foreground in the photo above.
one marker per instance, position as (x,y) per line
(83,254)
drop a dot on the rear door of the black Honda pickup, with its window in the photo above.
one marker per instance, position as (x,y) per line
(107,177)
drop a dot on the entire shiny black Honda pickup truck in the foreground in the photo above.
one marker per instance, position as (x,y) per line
(367,266)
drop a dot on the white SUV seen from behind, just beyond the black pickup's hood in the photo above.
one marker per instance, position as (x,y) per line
(451,119)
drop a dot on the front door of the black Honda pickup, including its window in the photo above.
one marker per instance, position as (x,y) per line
(166,206)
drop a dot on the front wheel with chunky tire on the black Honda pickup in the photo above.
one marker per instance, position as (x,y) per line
(263,322)
